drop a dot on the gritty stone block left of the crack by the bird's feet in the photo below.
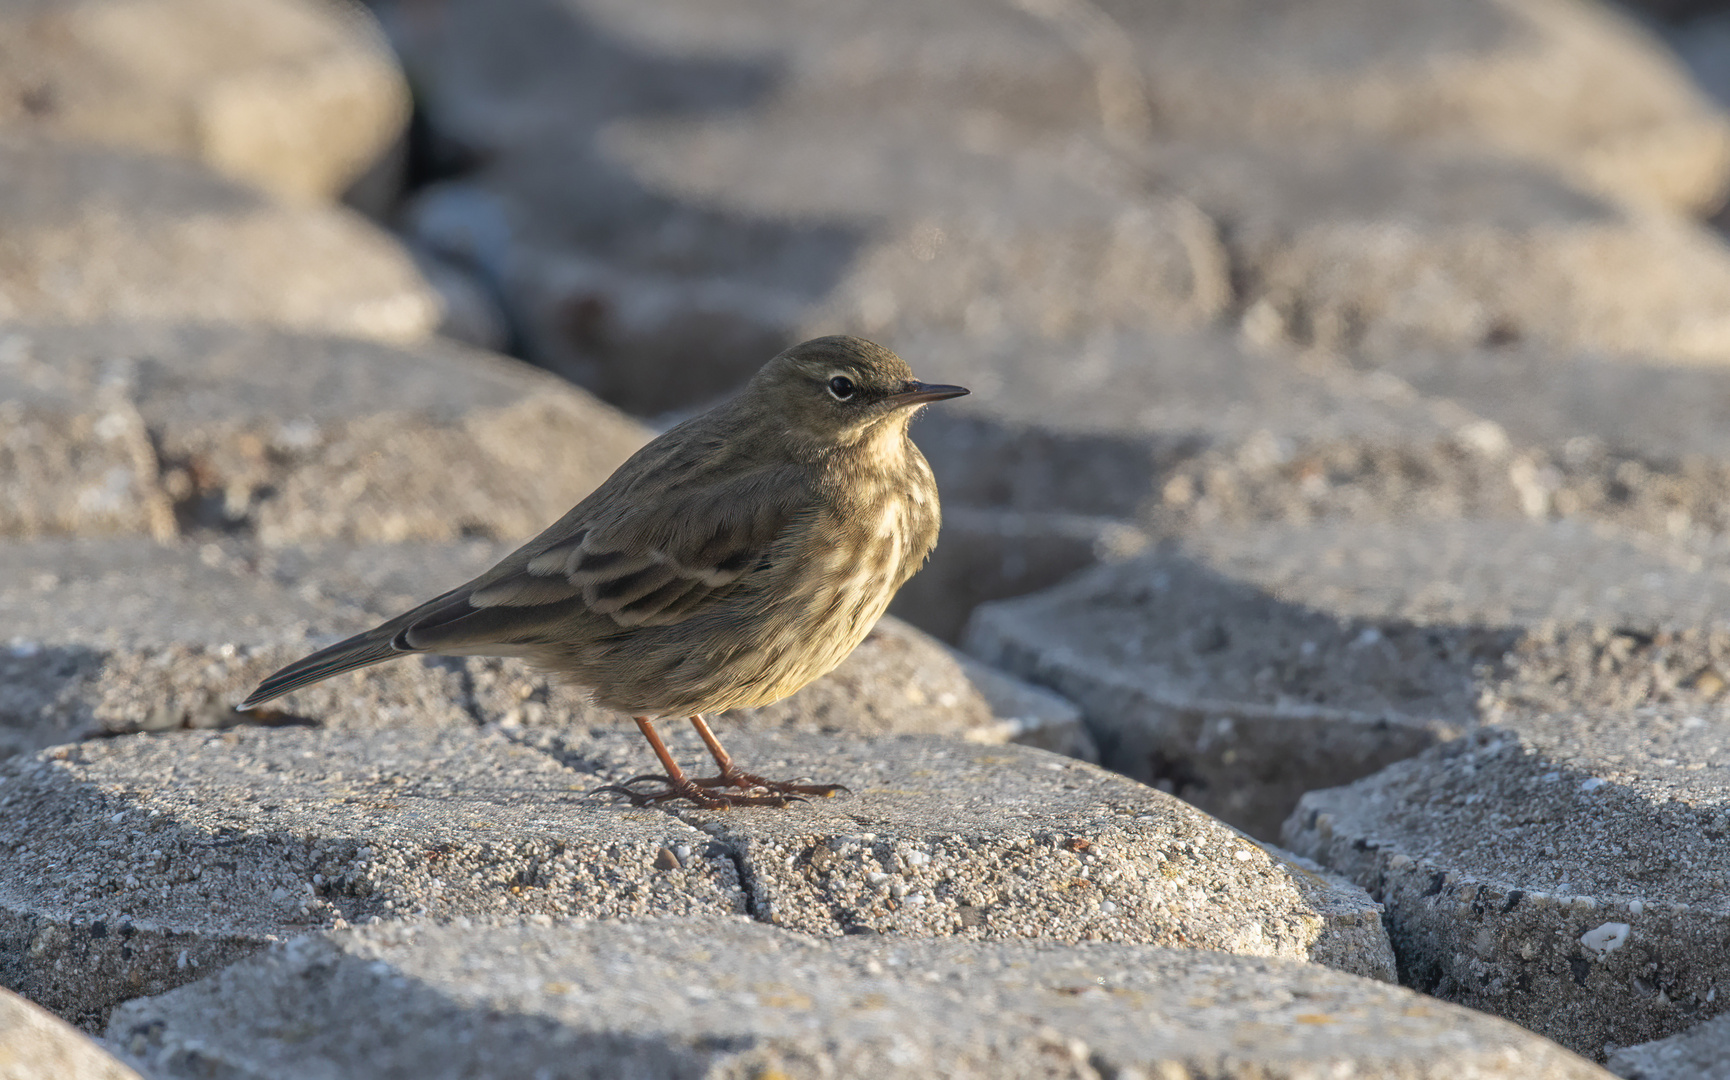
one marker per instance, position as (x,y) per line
(139,865)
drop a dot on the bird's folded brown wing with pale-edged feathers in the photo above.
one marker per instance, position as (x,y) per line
(639,567)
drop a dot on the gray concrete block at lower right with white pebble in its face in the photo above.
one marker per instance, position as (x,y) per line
(1567,871)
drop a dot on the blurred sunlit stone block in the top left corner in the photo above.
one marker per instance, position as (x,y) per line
(300,98)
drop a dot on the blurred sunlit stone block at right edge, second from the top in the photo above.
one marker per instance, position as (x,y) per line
(1376,248)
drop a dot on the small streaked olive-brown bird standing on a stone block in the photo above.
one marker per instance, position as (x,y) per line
(726,565)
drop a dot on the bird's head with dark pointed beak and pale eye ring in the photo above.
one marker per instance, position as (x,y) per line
(843,390)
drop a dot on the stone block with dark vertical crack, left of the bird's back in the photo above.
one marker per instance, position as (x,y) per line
(146,428)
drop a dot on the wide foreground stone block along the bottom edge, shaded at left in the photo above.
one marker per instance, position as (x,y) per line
(733,1000)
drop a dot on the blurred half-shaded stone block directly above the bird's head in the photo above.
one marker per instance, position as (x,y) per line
(733,241)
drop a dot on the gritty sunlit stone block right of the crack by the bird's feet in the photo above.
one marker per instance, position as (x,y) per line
(1001,842)
